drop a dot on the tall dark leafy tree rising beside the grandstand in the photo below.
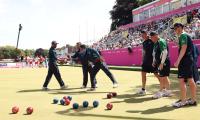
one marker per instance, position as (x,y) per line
(121,14)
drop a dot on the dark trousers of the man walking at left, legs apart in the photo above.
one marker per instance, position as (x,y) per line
(53,69)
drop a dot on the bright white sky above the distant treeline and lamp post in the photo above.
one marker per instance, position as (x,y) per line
(47,20)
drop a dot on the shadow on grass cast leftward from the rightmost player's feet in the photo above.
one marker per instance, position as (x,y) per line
(153,110)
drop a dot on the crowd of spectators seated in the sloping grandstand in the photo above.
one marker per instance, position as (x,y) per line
(124,38)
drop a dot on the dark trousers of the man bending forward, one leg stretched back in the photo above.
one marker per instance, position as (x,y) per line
(95,70)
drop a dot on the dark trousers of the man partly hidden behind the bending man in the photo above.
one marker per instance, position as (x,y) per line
(87,69)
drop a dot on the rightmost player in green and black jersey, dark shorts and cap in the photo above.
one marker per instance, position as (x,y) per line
(184,64)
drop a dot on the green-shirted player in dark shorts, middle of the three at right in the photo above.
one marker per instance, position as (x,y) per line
(162,62)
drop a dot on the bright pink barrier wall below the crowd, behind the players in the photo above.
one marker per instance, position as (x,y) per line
(122,57)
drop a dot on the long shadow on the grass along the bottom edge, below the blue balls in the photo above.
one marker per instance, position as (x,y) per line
(79,113)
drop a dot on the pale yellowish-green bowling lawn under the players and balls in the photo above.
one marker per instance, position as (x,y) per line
(22,87)
